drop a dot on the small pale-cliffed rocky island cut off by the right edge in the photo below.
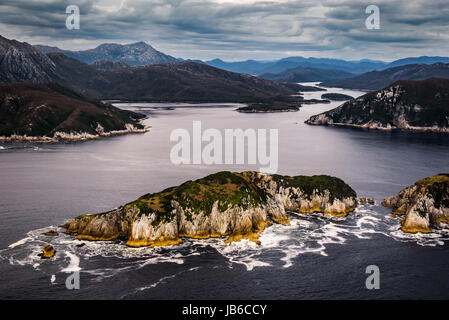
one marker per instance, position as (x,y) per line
(424,203)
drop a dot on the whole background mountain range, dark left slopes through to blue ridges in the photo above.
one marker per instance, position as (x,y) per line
(113,71)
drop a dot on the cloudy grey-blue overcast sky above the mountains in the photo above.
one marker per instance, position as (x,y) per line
(238,29)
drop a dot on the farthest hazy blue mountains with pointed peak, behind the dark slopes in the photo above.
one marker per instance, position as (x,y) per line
(290,69)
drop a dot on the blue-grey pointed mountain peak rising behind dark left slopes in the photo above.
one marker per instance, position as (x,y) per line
(134,54)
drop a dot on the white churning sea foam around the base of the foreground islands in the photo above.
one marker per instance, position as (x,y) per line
(307,233)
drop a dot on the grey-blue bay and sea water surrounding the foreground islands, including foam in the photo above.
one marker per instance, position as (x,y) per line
(44,185)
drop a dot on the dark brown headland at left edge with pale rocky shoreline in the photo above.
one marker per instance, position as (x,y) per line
(50,110)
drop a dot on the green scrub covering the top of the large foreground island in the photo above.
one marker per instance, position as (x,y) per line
(230,189)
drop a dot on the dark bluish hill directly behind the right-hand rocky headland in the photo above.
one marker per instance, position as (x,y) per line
(376,80)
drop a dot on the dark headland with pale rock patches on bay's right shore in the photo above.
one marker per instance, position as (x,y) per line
(421,105)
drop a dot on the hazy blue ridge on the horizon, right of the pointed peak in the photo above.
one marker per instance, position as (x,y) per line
(262,67)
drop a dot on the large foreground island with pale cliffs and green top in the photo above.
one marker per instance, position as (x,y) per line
(237,205)
